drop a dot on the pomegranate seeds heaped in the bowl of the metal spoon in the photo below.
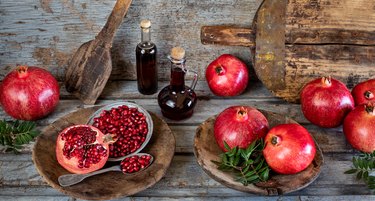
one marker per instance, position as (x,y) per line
(135,163)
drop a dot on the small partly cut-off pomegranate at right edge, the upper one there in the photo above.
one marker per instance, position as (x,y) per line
(364,92)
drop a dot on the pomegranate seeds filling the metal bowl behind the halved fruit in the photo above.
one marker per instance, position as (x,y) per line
(128,124)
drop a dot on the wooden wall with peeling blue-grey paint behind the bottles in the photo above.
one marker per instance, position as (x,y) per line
(46,33)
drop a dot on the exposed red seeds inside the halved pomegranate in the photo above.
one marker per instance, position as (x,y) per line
(79,143)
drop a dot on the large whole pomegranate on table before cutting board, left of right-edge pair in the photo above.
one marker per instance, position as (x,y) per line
(325,102)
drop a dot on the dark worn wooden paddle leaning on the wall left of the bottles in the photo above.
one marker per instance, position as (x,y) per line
(91,65)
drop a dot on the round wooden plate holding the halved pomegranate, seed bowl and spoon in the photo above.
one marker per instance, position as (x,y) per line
(109,185)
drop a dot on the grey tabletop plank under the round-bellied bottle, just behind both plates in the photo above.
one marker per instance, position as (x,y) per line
(203,110)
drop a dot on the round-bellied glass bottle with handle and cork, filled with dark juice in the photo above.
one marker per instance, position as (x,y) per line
(177,101)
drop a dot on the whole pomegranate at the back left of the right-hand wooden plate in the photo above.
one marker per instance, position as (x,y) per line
(239,126)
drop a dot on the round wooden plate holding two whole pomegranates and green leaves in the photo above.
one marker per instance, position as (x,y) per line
(206,150)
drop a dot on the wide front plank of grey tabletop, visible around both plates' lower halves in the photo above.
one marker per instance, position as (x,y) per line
(21,172)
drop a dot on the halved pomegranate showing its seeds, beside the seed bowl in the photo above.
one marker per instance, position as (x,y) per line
(82,148)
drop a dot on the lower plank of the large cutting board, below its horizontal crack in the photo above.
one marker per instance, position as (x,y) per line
(349,64)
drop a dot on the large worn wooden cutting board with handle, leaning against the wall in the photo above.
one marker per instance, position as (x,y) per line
(296,41)
